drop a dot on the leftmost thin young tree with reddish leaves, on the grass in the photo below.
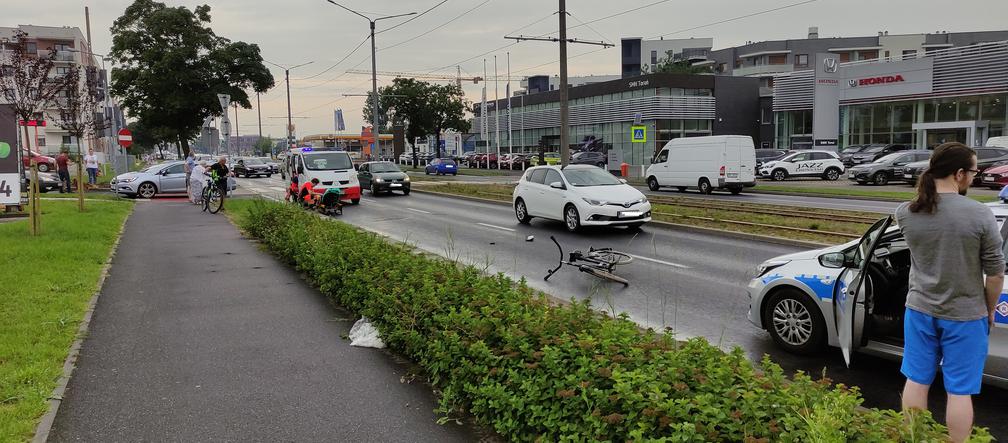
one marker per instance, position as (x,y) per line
(27,85)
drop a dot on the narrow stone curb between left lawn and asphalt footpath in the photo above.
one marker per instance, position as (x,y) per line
(56,399)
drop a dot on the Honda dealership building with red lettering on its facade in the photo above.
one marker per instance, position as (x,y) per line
(954,94)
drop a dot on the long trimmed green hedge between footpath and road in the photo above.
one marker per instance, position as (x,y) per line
(536,371)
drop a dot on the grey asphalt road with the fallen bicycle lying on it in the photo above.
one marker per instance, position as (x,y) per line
(694,284)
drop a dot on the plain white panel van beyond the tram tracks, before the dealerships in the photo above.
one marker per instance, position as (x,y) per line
(718,162)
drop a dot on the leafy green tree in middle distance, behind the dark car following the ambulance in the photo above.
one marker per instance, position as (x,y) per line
(422,108)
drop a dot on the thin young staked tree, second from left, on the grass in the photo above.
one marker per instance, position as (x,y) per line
(78,106)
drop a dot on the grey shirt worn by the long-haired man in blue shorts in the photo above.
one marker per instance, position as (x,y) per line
(951,251)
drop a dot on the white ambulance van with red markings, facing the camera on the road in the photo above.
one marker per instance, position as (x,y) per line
(333,168)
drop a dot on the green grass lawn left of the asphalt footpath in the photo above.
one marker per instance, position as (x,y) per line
(47,283)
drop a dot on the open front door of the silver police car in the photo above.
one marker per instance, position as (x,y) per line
(849,294)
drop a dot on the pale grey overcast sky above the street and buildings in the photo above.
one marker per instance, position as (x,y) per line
(295,32)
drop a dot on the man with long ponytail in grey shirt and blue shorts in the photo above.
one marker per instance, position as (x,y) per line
(955,243)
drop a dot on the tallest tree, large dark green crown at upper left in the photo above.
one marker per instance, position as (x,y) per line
(171,66)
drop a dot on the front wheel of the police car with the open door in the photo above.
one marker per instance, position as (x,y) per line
(795,322)
